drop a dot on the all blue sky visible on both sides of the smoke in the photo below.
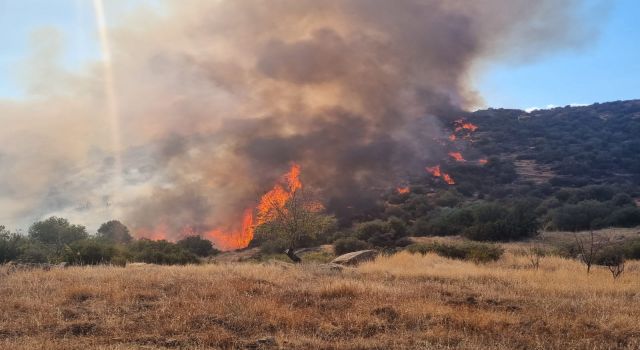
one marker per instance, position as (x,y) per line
(607,69)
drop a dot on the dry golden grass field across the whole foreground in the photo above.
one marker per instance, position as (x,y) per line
(401,301)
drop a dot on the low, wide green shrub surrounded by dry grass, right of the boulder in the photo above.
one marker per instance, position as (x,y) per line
(471,251)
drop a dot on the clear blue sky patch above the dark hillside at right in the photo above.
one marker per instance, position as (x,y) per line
(606,70)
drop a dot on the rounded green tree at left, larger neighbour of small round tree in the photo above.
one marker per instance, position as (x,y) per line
(56,233)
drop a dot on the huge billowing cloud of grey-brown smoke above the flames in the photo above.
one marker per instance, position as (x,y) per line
(217,98)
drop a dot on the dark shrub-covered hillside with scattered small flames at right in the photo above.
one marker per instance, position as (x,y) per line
(572,168)
